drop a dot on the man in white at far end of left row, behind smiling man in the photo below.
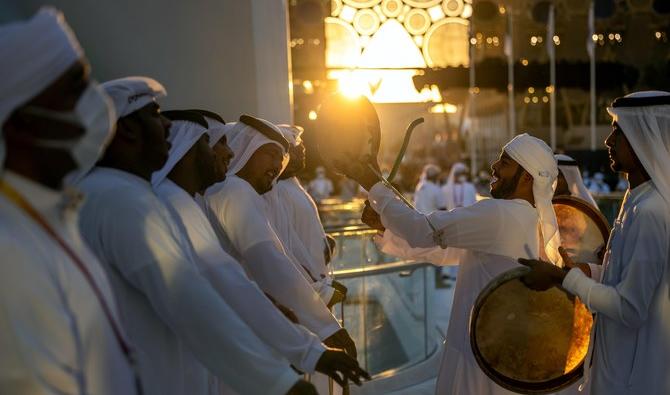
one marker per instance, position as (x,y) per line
(295,217)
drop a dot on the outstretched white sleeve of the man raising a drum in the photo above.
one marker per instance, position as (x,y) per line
(470,227)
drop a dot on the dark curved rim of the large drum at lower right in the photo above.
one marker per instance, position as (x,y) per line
(518,386)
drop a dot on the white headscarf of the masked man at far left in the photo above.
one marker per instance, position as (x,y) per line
(34,54)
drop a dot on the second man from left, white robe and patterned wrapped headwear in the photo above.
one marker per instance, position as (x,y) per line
(179,324)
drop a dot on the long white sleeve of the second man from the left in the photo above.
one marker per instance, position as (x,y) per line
(164,272)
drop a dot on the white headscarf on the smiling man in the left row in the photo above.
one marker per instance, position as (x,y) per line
(244,140)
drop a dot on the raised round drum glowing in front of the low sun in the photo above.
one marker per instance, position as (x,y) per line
(347,129)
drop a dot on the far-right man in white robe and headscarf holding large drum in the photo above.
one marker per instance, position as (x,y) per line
(630,292)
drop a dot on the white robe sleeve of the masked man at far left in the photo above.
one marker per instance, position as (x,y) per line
(37,336)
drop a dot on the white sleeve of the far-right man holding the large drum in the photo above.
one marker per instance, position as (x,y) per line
(628,301)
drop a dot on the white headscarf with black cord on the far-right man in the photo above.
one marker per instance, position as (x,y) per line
(644,118)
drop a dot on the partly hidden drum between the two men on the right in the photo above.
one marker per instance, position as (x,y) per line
(584,230)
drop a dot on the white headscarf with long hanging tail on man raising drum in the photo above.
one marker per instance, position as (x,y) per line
(535,156)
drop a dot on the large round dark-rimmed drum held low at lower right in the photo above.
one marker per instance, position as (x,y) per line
(527,341)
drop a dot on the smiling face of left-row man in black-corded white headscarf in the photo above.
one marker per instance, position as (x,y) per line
(263,167)
